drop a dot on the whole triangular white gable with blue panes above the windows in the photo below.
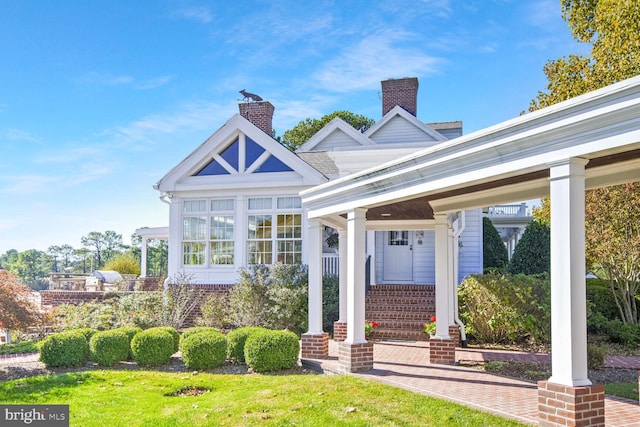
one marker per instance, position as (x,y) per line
(239,155)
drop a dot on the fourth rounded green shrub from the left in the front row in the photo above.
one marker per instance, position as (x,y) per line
(204,350)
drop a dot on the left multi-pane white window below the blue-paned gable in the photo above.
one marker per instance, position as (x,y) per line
(216,245)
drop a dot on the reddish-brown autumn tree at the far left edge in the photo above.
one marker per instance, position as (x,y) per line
(17,311)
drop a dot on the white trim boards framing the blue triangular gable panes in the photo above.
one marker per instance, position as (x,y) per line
(218,141)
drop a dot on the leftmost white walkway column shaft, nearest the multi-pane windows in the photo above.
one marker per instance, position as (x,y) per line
(314,248)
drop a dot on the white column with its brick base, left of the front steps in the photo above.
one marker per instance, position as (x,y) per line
(355,353)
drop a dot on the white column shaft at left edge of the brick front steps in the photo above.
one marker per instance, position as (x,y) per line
(356,232)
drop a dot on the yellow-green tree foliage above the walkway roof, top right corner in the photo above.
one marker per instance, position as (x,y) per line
(612,27)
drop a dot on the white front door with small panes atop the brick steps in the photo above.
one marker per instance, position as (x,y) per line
(398,256)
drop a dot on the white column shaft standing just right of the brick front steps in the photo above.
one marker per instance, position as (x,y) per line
(442,275)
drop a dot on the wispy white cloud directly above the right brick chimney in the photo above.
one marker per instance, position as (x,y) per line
(375,58)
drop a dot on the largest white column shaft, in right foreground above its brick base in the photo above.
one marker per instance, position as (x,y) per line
(568,285)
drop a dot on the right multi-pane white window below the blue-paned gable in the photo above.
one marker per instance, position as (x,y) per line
(269,241)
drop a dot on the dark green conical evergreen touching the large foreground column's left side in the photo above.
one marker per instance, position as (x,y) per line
(532,254)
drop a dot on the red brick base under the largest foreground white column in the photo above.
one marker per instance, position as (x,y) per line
(560,405)
